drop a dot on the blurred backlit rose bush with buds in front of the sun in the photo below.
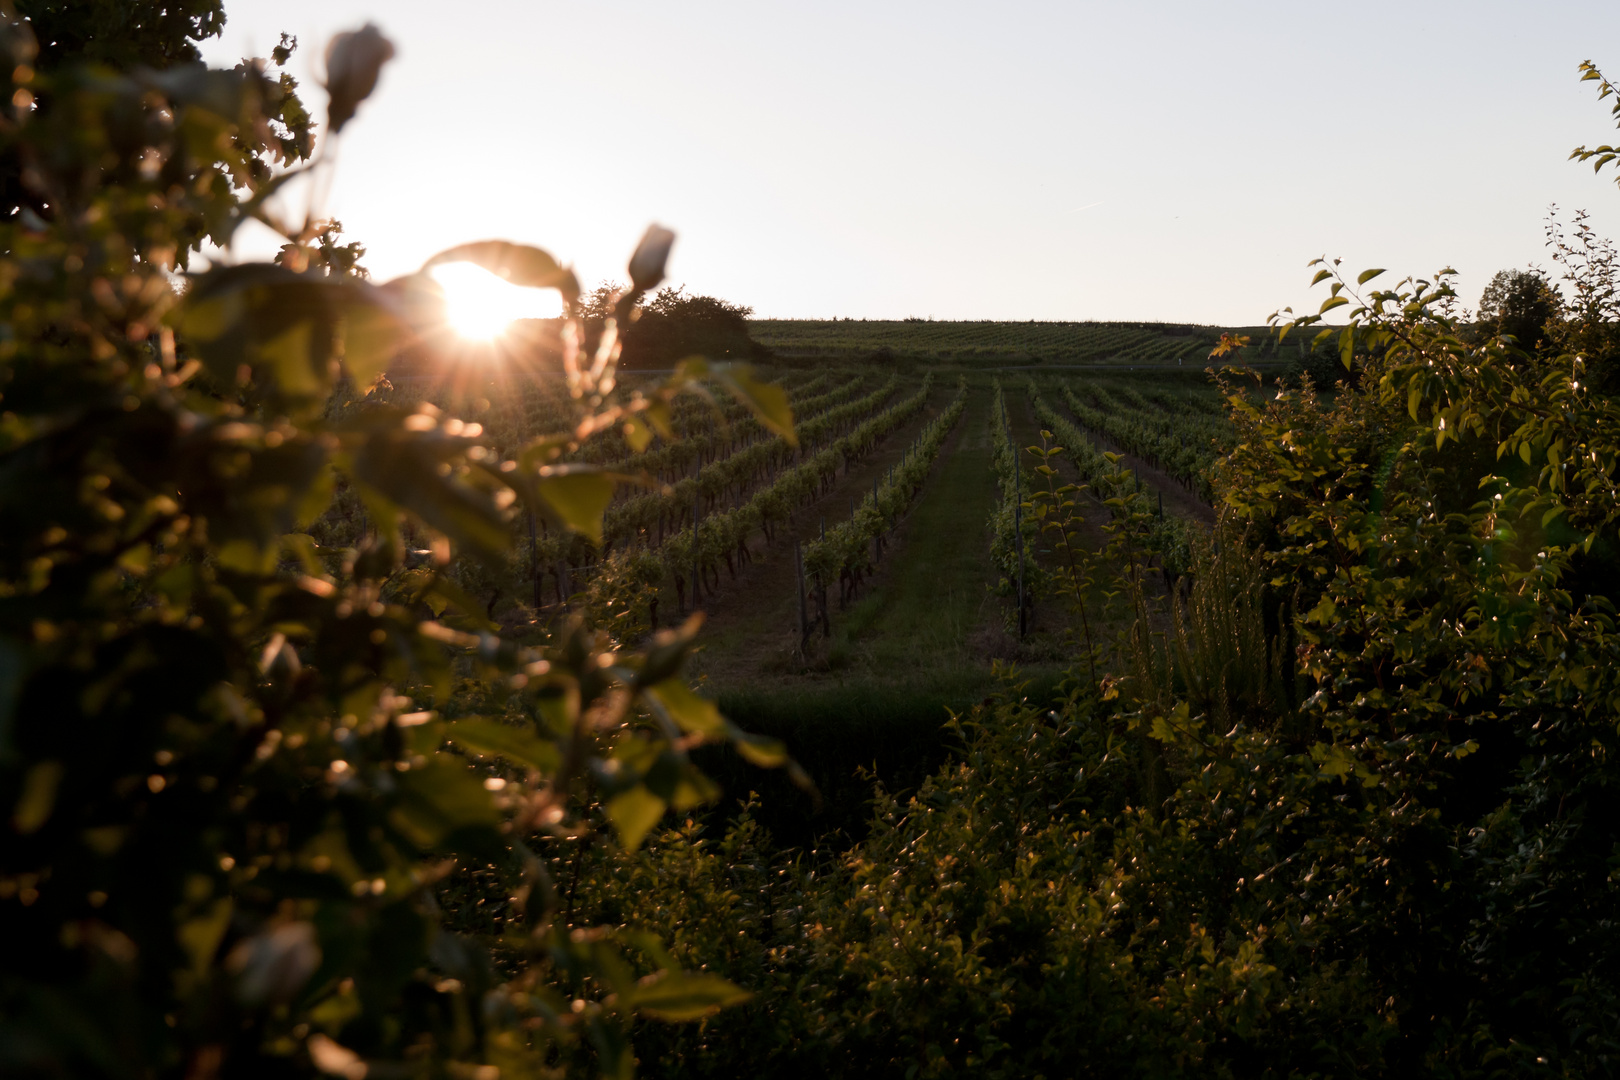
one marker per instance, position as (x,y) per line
(245,773)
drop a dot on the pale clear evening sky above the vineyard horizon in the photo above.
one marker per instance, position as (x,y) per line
(1177,161)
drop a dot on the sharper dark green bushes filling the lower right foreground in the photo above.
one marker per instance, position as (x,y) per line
(1355,817)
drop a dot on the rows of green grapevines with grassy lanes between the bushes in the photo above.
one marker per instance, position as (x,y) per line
(808,551)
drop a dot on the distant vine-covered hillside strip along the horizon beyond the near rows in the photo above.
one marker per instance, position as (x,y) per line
(999,342)
